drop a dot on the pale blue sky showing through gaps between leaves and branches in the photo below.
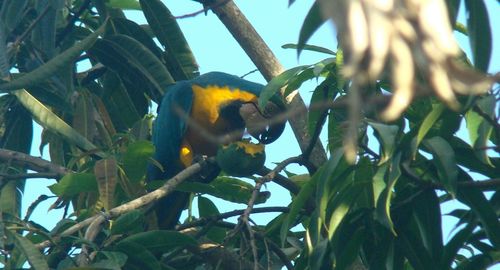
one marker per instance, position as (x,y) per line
(216,50)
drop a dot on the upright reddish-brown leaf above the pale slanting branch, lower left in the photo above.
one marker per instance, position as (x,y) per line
(106,174)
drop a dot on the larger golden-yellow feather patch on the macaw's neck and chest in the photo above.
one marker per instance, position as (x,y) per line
(207,101)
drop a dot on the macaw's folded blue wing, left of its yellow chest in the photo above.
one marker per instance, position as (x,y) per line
(169,129)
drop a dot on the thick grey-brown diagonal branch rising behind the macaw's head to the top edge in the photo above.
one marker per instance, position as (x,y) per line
(270,67)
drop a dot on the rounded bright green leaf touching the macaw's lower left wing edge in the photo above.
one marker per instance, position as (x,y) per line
(136,159)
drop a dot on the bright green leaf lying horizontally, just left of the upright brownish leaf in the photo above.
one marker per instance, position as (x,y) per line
(73,184)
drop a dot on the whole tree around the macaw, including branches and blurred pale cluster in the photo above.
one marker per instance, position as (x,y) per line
(392,98)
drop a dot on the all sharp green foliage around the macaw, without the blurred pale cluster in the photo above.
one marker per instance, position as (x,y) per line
(88,76)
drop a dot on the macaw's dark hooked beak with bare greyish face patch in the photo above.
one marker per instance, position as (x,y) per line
(259,125)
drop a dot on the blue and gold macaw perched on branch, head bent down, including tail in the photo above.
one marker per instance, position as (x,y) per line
(218,102)
